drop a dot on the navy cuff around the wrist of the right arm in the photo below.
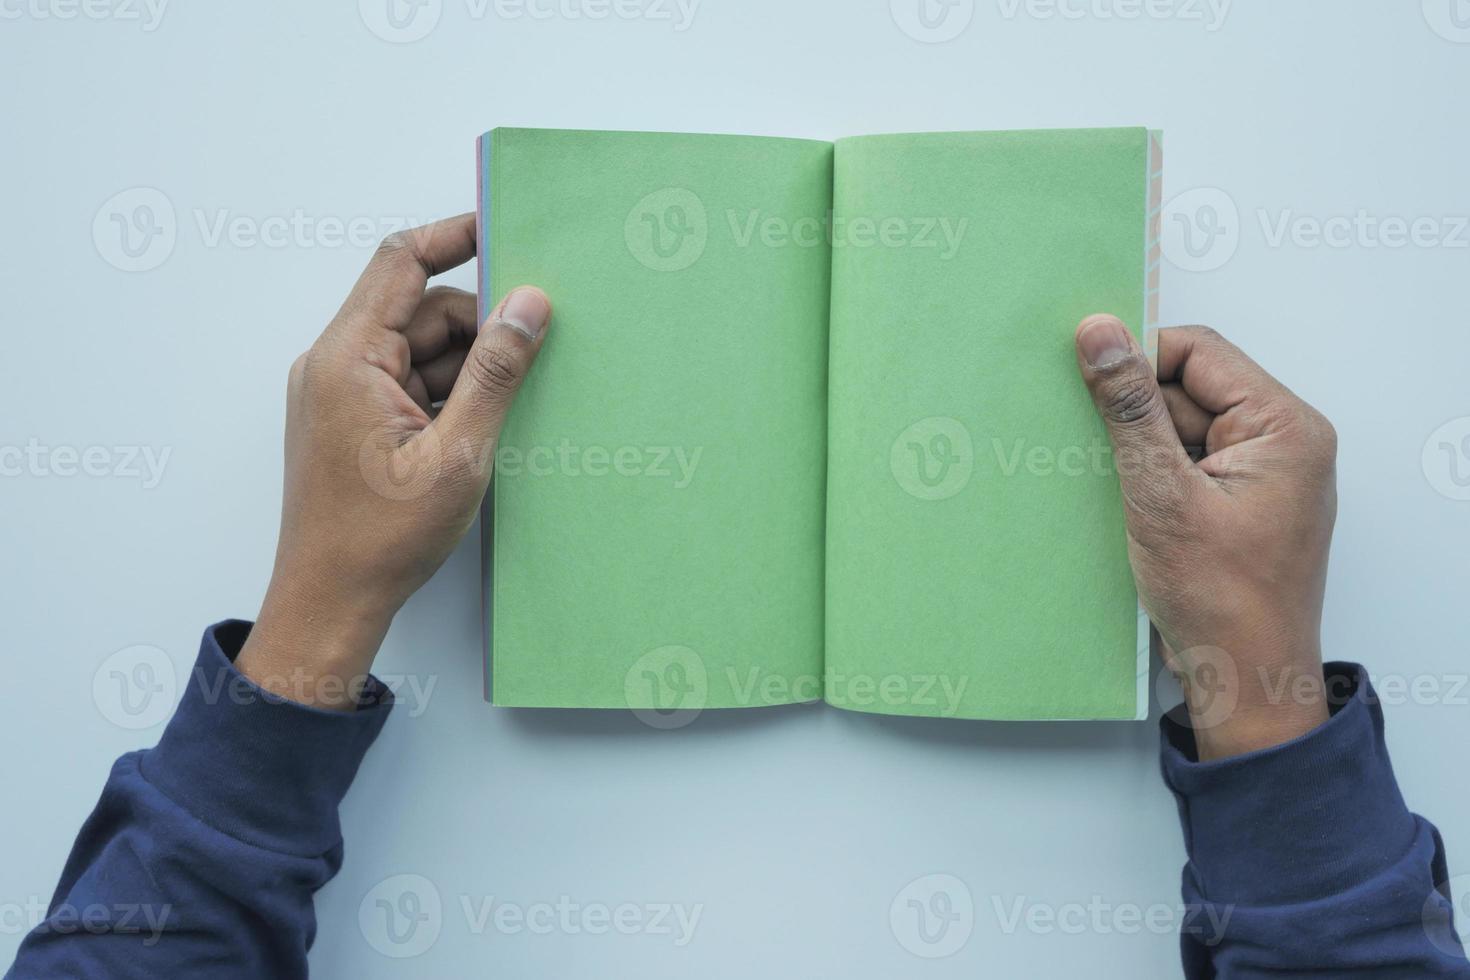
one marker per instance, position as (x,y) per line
(1299,821)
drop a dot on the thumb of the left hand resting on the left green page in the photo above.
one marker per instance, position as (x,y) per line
(493,371)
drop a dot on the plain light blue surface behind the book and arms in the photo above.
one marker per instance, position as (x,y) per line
(795,829)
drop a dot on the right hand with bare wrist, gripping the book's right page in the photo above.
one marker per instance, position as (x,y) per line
(1230,553)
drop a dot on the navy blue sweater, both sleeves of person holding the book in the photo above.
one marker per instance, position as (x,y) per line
(204,853)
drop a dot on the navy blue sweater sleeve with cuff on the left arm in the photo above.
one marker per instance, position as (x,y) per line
(202,856)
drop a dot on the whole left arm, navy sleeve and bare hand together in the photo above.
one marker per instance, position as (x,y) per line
(229,826)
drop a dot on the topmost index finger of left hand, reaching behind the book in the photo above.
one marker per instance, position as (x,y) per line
(392,287)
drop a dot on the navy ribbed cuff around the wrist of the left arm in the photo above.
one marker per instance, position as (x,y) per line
(254,765)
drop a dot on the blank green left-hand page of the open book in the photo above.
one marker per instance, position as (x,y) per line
(658,503)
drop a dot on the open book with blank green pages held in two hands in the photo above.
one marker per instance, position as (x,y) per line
(808,424)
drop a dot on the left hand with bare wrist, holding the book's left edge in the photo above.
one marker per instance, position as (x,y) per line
(380,487)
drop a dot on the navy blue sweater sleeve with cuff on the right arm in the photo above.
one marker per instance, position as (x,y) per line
(1305,860)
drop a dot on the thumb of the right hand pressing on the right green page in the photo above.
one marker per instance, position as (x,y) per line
(1152,461)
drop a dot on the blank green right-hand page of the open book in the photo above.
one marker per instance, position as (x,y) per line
(977,558)
